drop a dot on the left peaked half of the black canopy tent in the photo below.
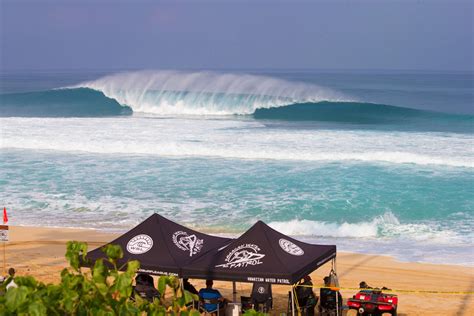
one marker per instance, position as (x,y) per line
(162,246)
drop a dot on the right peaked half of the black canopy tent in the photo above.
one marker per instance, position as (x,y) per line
(261,254)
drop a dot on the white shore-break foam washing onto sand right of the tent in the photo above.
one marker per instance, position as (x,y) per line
(385,234)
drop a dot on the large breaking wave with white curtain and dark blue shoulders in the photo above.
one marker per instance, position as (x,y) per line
(174,93)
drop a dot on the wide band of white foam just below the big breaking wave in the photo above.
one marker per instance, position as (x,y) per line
(233,139)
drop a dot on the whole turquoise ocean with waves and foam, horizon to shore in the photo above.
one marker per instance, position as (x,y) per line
(374,162)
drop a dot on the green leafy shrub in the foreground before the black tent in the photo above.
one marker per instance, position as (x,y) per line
(103,291)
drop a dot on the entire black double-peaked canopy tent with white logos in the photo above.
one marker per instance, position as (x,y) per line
(261,254)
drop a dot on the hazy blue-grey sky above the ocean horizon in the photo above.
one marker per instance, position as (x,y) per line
(426,35)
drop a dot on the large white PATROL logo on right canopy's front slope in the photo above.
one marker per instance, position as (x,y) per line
(243,256)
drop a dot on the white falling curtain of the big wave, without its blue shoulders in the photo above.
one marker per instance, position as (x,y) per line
(205,93)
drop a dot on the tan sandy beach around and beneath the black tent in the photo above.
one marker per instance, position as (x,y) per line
(40,252)
